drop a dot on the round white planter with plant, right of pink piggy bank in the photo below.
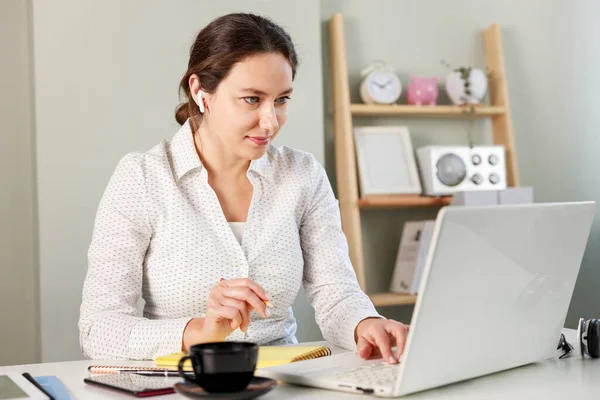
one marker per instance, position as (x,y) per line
(466,85)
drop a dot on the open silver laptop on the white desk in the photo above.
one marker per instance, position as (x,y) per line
(495,291)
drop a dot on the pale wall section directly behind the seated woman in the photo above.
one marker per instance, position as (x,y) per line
(106,79)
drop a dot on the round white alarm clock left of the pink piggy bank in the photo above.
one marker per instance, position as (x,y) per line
(380,85)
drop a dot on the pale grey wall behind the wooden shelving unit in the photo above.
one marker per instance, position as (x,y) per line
(552,63)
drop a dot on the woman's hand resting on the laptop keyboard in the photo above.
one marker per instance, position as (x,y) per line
(374,334)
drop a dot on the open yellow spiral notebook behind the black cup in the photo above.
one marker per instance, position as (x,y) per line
(268,356)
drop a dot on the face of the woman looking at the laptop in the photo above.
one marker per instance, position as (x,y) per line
(250,105)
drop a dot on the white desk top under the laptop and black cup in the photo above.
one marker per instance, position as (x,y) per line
(570,378)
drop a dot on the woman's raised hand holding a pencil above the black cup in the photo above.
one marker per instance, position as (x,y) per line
(228,308)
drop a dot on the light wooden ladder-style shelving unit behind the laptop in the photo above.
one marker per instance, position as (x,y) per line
(345,156)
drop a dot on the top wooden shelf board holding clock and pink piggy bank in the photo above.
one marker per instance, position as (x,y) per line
(463,112)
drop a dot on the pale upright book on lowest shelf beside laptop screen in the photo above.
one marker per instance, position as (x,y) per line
(411,256)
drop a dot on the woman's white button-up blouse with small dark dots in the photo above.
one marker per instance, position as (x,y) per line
(160,233)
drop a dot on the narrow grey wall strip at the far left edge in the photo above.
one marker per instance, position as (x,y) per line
(18,280)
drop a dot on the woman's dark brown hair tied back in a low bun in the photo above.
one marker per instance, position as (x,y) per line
(224,42)
